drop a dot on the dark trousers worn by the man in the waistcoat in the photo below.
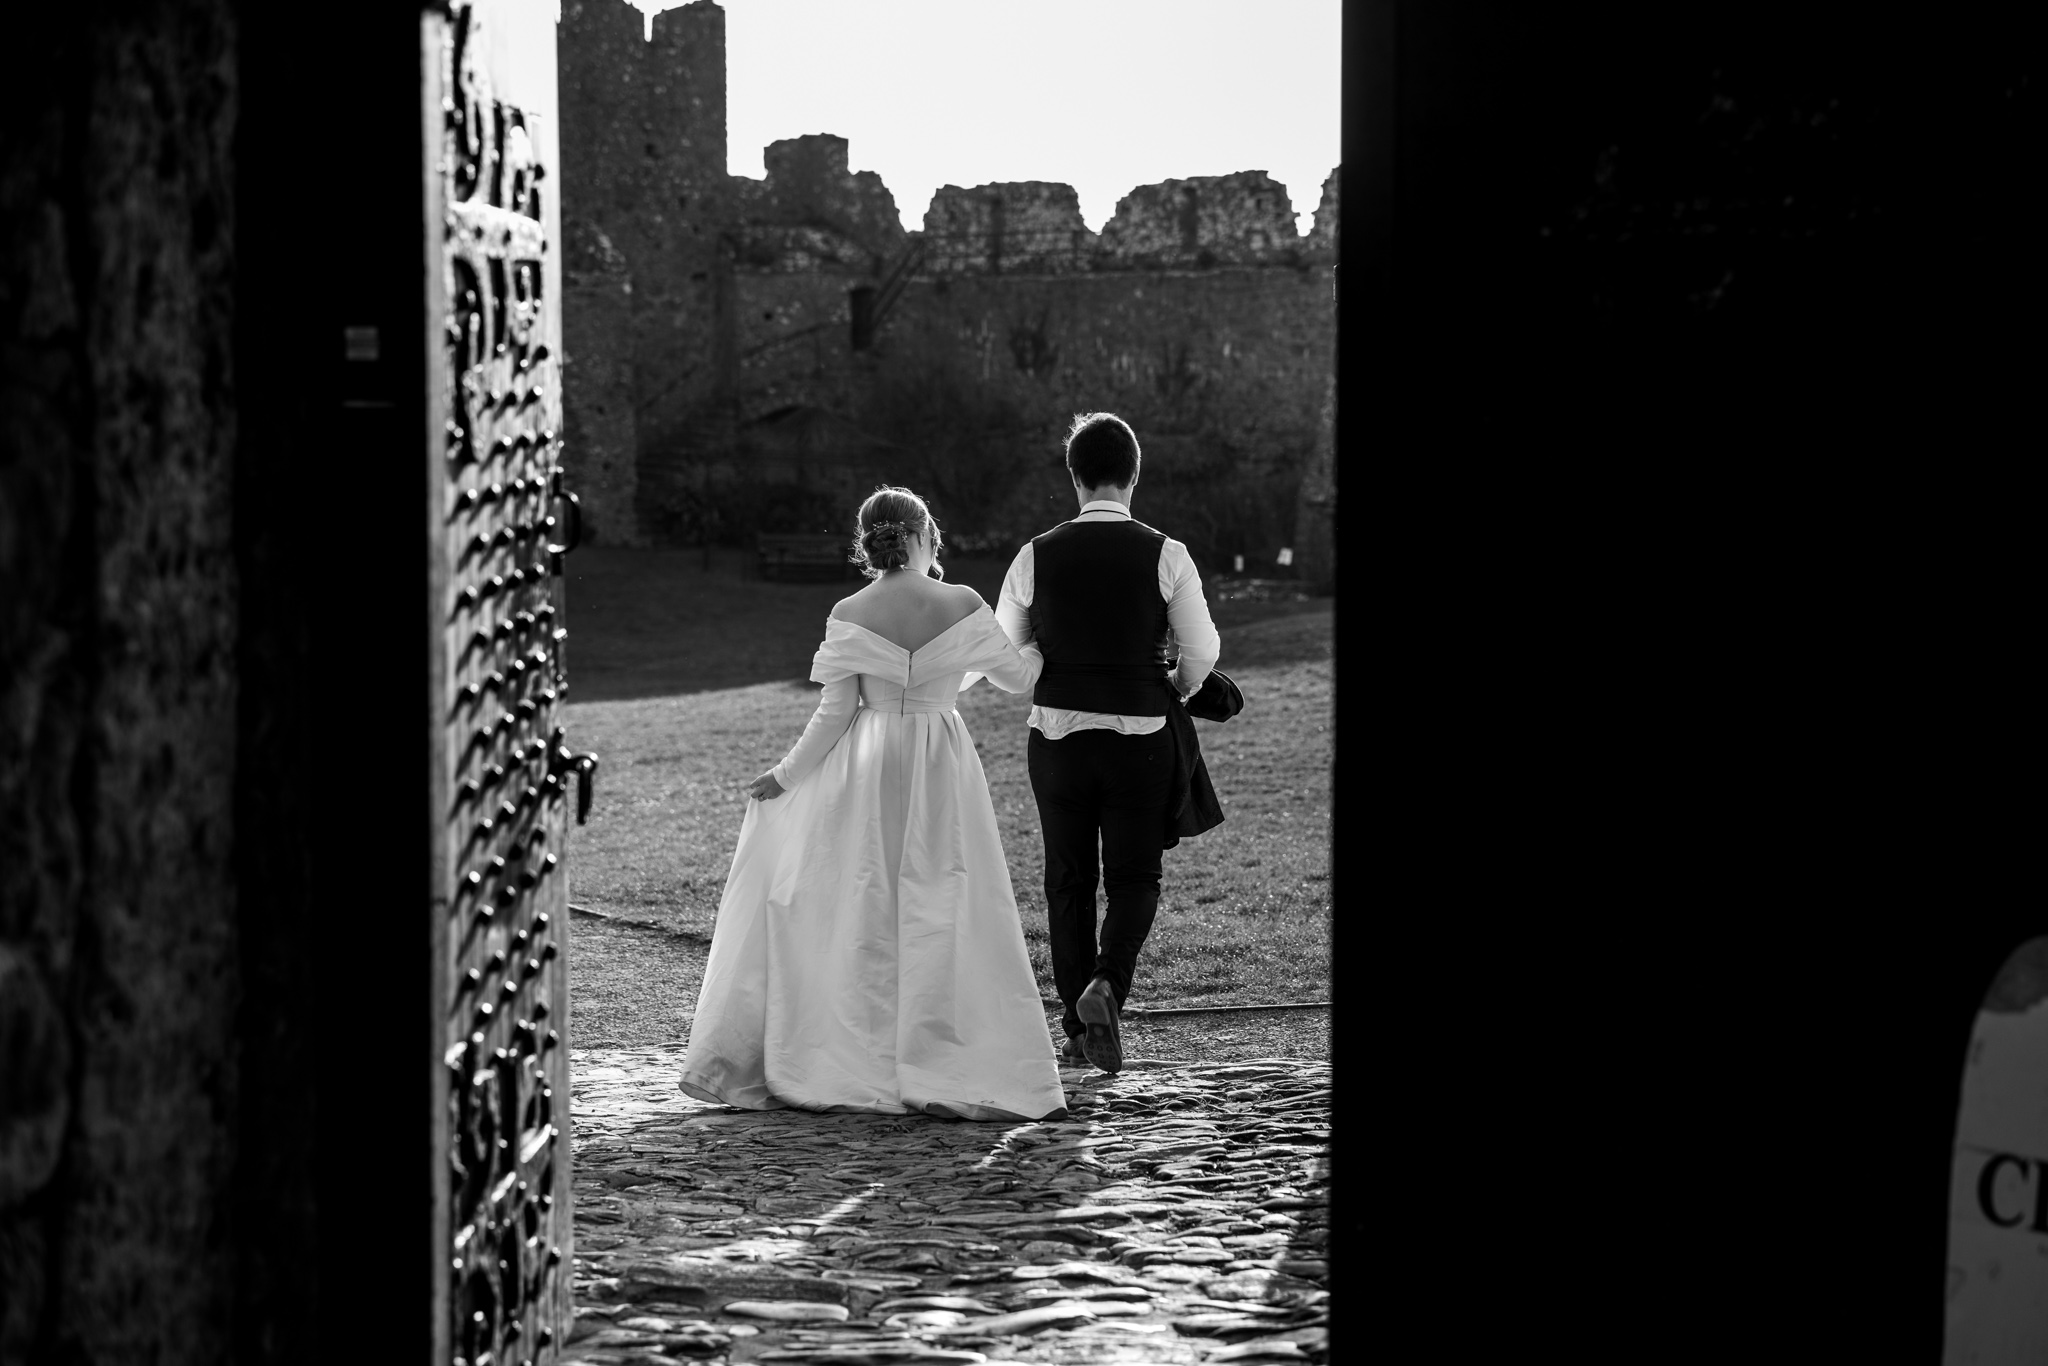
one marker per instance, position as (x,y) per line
(1101,787)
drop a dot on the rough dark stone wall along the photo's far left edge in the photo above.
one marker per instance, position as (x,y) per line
(118,685)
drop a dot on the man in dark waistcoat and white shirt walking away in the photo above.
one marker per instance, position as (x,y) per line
(1107,601)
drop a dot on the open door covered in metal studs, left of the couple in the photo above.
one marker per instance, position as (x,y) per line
(505,775)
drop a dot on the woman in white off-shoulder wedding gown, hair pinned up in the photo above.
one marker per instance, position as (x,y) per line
(867,953)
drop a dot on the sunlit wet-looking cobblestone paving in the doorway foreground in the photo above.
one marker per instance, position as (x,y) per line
(1179,1215)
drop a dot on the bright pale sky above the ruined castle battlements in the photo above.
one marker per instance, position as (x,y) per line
(1103,95)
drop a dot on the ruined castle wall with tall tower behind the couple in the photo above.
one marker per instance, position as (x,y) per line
(712,335)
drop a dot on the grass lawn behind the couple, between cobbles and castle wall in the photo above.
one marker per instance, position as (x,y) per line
(669,689)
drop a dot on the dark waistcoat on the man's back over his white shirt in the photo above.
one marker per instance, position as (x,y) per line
(1099,620)
